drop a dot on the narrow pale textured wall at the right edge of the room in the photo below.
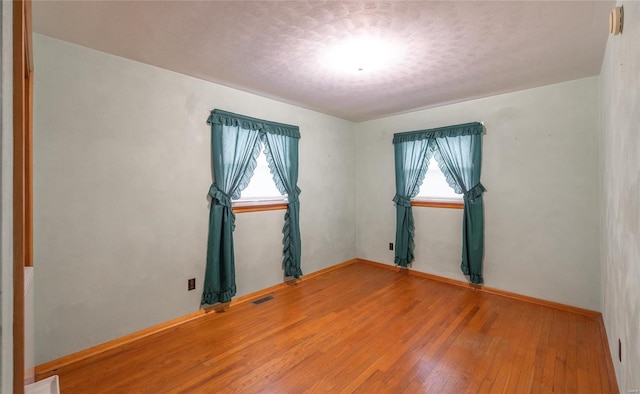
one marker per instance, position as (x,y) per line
(621,203)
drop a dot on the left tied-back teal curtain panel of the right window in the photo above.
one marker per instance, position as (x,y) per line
(411,162)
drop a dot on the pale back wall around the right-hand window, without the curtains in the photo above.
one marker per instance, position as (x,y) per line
(540,166)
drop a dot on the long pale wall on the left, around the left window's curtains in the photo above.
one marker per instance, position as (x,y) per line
(122,170)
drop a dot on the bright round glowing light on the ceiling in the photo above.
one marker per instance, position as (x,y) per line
(363,55)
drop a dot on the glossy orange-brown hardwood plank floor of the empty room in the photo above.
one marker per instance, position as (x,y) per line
(362,329)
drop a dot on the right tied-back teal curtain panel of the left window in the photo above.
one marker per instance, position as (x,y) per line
(282,155)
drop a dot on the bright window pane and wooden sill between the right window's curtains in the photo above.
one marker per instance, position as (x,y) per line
(435,191)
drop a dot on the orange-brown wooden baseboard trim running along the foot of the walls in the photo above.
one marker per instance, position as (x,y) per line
(49,368)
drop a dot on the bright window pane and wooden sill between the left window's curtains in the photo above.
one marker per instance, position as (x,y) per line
(261,194)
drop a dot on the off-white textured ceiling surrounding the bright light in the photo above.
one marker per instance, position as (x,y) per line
(454,51)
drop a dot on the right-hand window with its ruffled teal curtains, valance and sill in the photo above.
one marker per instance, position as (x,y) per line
(463,145)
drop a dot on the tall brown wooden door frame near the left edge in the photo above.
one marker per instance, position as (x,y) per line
(22,176)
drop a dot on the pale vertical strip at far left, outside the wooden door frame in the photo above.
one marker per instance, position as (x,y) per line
(6,197)
